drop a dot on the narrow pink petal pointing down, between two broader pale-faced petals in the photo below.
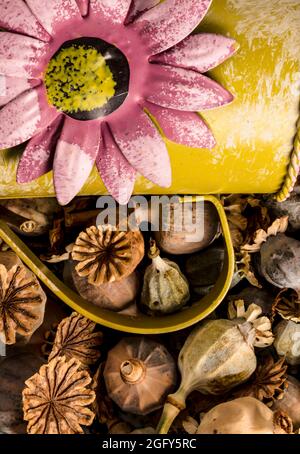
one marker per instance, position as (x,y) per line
(117,174)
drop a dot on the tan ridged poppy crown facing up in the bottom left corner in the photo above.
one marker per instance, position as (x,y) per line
(56,400)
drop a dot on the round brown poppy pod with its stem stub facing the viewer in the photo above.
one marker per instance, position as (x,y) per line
(139,373)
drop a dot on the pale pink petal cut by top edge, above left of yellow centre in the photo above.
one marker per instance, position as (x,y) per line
(52,13)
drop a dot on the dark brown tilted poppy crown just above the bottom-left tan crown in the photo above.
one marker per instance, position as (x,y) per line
(75,338)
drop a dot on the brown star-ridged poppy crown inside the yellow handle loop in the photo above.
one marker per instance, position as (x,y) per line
(106,254)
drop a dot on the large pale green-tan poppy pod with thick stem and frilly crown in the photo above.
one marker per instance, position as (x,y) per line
(217,356)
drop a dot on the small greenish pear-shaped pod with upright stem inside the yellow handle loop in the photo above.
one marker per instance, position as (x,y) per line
(165,288)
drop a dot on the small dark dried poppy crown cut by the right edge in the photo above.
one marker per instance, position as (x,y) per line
(287,305)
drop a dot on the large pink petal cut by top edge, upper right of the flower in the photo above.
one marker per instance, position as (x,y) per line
(170,22)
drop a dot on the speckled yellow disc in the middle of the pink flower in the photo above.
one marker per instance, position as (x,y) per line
(78,79)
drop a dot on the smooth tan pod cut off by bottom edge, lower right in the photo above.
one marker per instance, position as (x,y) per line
(245,415)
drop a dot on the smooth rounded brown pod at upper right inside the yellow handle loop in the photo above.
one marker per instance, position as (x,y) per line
(179,235)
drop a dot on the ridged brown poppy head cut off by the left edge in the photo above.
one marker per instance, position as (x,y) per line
(22,302)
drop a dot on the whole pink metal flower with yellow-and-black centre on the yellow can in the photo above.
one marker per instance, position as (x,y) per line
(82,81)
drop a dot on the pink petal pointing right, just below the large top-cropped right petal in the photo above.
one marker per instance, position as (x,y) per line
(199,52)
